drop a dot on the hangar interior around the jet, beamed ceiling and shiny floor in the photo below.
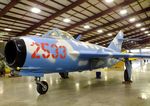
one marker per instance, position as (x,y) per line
(98,22)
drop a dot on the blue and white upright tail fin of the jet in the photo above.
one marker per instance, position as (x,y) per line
(116,44)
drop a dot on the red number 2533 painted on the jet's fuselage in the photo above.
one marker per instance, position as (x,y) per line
(47,53)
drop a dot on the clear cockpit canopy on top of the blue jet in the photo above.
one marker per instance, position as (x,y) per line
(57,33)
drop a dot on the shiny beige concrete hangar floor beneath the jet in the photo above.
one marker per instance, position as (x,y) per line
(82,89)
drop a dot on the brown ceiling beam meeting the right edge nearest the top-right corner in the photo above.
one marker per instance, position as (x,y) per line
(116,20)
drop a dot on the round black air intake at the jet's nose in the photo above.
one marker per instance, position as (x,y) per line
(15,52)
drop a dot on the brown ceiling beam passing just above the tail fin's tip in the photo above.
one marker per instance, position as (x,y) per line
(115,29)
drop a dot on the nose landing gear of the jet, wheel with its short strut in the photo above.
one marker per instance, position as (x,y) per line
(42,86)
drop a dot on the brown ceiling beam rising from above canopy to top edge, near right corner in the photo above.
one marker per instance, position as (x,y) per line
(127,2)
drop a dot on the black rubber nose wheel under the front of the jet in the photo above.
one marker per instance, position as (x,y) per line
(42,87)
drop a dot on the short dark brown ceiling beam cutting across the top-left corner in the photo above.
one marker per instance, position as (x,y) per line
(10,5)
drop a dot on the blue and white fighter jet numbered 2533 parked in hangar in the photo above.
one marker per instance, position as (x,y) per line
(58,52)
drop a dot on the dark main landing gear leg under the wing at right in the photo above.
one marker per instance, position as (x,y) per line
(127,72)
